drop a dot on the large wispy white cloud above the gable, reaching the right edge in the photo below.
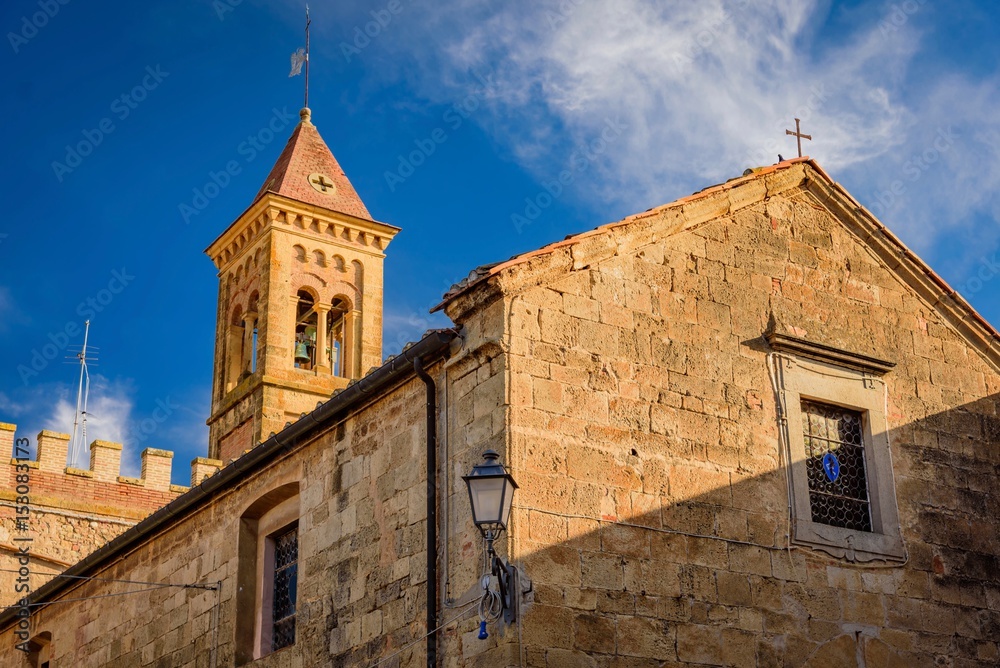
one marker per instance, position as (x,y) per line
(707,89)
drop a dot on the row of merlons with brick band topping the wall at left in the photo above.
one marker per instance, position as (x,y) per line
(105,461)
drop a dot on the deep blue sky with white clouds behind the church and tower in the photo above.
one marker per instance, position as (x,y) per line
(118,113)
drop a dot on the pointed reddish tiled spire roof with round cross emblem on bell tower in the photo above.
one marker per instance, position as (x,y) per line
(305,159)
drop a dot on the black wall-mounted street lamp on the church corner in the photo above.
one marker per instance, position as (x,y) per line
(491,492)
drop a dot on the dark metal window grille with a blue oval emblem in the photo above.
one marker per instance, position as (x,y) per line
(835,464)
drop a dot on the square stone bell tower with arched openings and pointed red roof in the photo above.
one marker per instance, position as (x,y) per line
(300,296)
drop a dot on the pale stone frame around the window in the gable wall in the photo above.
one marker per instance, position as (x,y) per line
(814,372)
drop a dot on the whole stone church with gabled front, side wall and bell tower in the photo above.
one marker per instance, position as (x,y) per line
(749,428)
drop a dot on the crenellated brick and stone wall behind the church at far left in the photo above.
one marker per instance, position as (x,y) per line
(72,512)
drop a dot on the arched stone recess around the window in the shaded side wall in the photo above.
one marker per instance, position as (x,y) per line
(268,516)
